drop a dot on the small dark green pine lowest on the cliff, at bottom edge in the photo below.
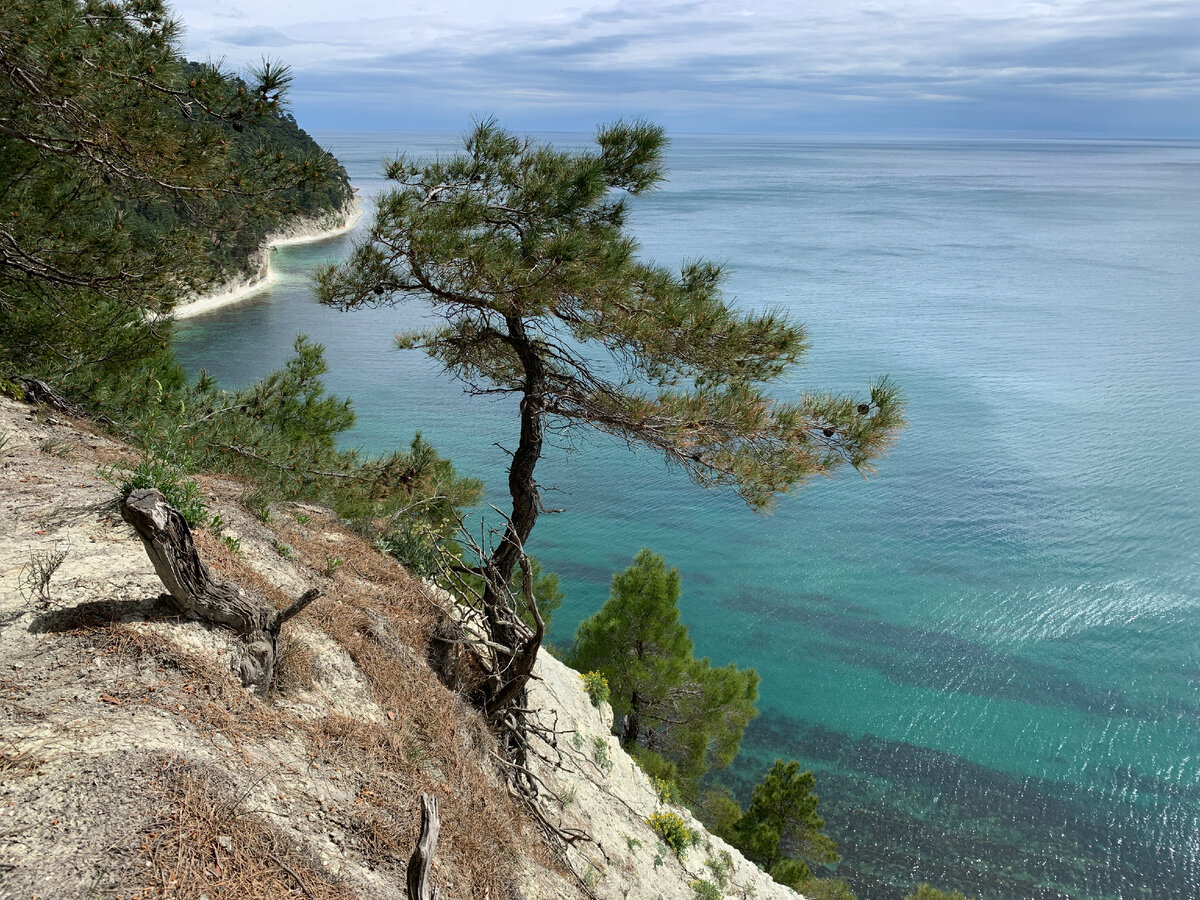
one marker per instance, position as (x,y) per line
(781,830)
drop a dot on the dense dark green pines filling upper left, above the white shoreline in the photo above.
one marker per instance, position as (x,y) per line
(128,179)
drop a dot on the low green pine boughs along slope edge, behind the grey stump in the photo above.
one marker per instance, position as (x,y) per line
(281,435)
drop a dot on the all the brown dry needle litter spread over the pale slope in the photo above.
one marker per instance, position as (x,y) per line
(429,742)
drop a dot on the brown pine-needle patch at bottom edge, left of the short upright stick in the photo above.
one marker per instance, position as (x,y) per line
(207,843)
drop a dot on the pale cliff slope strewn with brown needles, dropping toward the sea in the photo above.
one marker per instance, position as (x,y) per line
(134,765)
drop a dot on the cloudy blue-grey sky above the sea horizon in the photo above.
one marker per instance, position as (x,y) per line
(1054,68)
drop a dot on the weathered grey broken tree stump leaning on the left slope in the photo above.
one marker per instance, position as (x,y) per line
(169,543)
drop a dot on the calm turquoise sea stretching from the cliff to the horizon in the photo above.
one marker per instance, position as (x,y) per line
(988,652)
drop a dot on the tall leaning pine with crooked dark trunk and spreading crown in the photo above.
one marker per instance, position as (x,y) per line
(523,251)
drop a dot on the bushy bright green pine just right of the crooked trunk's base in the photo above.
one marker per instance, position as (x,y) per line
(685,710)
